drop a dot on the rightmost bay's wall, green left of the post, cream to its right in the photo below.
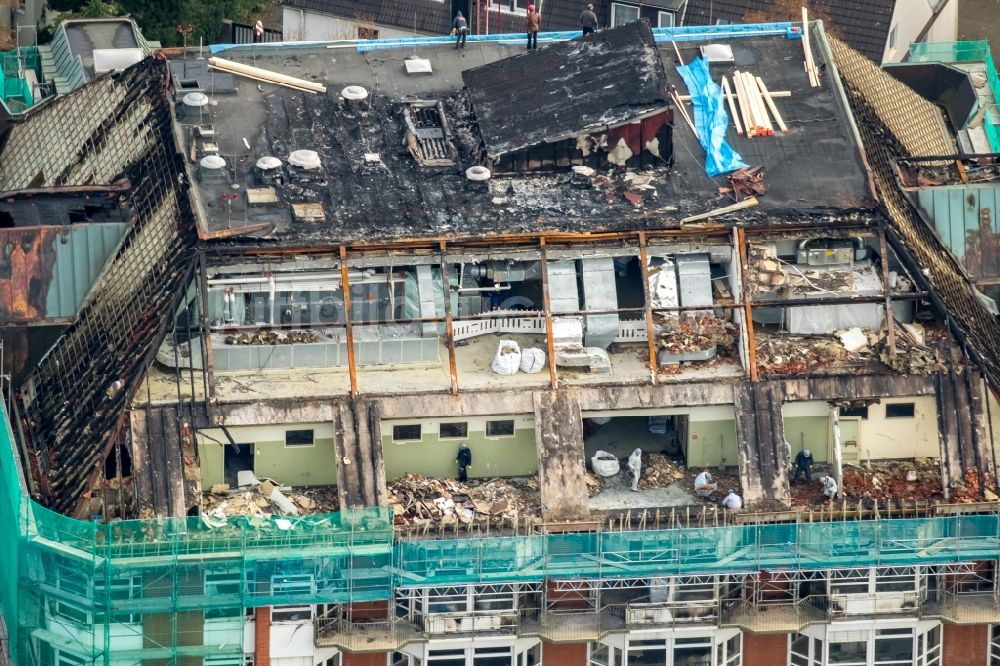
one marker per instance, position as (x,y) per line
(879,438)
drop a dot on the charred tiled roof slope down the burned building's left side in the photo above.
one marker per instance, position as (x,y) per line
(75,400)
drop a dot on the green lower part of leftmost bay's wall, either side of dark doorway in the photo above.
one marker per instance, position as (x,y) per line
(293,465)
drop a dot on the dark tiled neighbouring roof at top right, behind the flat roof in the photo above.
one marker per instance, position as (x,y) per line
(862,24)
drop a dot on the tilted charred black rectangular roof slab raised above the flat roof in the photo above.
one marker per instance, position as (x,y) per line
(568,88)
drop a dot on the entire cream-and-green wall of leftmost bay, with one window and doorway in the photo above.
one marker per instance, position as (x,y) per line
(295,465)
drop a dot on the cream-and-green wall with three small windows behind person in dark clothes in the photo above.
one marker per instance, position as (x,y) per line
(433,456)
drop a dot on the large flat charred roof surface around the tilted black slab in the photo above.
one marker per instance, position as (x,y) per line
(369,186)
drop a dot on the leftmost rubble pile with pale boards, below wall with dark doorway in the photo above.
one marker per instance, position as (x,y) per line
(266,498)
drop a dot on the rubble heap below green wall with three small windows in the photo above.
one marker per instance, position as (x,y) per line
(419,500)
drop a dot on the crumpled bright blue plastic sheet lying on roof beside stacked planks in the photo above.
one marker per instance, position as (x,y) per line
(710,118)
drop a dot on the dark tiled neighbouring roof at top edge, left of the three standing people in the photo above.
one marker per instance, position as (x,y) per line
(419,15)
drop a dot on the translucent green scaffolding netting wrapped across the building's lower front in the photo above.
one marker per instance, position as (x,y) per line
(175,591)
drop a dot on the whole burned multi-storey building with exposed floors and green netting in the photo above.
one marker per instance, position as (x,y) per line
(361,379)
